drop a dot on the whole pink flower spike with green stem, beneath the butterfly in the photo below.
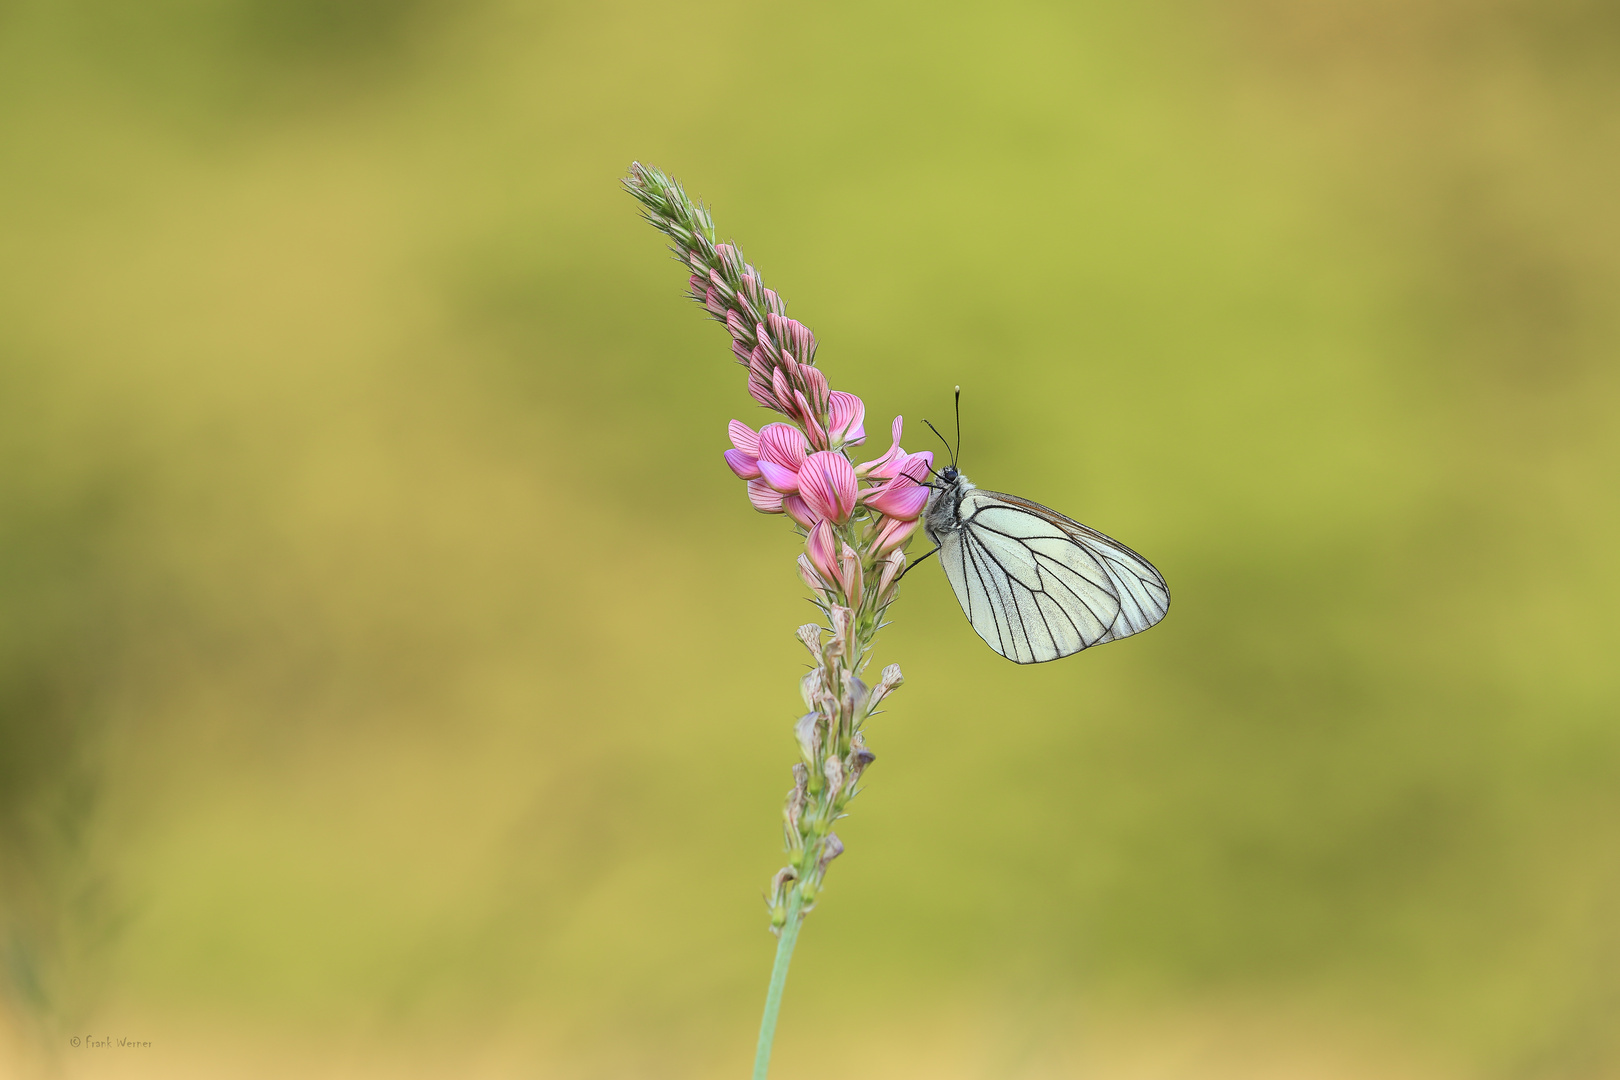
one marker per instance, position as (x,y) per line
(856,522)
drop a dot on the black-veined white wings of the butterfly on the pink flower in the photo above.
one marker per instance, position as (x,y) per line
(1038,585)
